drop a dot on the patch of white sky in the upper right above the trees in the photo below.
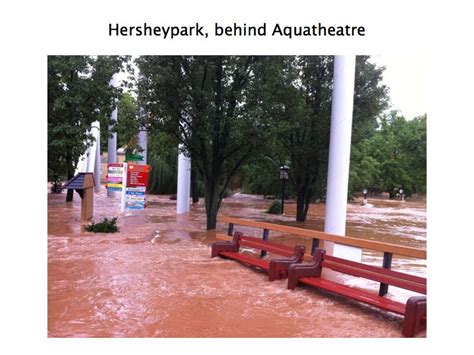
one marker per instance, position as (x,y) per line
(406,77)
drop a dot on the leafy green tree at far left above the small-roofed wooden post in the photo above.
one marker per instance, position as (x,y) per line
(78,94)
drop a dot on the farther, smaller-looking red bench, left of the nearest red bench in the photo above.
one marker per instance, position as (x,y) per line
(277,267)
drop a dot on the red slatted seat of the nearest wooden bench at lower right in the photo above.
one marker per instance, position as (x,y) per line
(356,294)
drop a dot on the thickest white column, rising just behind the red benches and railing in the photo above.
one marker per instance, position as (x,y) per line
(339,156)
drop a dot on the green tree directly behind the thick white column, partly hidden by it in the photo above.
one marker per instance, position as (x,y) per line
(302,108)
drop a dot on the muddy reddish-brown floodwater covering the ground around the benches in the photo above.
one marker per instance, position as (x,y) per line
(155,278)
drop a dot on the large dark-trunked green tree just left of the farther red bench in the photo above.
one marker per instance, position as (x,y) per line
(205,103)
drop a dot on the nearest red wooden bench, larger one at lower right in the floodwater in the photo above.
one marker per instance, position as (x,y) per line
(414,310)
